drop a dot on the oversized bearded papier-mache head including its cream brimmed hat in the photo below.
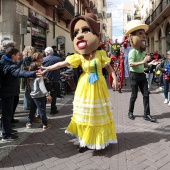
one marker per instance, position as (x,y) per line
(136,32)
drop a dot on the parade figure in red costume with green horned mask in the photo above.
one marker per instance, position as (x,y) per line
(117,64)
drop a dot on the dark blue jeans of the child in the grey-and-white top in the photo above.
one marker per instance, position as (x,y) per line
(40,104)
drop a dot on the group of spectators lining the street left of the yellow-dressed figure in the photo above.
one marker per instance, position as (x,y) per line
(15,65)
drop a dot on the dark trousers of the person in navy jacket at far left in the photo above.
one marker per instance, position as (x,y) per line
(7,113)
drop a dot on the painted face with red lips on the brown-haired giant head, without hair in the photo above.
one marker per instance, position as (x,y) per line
(84,40)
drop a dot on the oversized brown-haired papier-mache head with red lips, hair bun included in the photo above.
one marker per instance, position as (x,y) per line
(84,31)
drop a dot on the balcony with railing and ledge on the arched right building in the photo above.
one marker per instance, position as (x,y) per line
(158,15)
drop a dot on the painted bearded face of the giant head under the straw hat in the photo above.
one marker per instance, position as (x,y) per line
(138,41)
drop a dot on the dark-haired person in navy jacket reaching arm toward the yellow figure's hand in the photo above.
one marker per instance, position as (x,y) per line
(9,87)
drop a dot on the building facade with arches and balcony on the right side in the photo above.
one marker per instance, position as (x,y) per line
(155,13)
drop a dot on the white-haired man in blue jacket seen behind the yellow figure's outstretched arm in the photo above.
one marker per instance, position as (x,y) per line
(53,76)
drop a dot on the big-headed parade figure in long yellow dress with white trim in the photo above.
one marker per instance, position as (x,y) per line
(92,121)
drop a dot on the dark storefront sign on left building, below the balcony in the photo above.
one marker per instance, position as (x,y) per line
(38,19)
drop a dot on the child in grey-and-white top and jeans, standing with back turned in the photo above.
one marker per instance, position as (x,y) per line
(38,94)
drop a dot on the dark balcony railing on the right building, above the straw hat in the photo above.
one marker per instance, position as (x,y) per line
(163,4)
